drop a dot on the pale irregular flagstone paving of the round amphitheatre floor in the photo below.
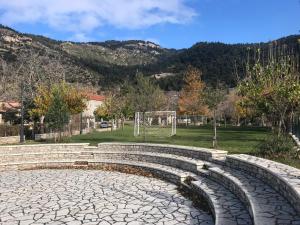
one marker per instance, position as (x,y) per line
(92,197)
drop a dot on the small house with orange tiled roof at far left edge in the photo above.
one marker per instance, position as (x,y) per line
(9,109)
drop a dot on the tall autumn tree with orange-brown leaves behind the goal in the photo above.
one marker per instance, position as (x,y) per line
(191,101)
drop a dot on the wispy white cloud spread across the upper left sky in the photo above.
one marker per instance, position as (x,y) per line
(83,16)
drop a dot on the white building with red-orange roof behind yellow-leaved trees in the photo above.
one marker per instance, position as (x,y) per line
(94,101)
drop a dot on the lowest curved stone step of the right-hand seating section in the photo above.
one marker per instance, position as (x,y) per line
(226,207)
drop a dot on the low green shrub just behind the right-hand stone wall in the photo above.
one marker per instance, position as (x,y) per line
(275,145)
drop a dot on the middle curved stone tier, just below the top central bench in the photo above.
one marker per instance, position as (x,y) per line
(176,161)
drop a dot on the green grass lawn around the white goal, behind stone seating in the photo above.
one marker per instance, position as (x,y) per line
(232,139)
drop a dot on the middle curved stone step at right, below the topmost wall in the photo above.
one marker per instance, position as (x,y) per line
(266,206)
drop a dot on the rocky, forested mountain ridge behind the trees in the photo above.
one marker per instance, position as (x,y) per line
(109,63)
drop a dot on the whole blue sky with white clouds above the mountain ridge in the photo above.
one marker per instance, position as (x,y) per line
(169,23)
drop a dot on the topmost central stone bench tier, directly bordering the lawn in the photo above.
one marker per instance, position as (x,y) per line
(191,152)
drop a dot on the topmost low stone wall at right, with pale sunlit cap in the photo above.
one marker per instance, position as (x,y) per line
(283,178)
